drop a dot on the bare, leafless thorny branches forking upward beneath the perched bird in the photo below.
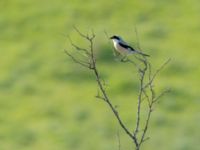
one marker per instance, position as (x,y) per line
(146,90)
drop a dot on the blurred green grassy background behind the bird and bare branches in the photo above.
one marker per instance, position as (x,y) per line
(48,102)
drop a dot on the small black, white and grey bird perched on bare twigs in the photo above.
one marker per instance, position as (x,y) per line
(123,48)
